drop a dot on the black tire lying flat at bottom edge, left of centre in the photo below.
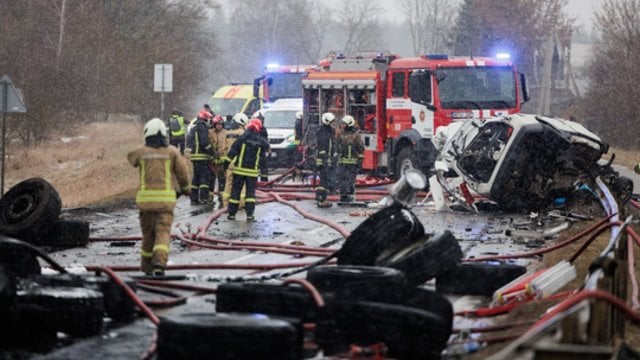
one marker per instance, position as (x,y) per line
(228,336)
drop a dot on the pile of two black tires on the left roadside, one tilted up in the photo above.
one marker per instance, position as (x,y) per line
(30,211)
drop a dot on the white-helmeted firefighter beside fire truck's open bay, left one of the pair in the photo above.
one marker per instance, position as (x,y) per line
(325,159)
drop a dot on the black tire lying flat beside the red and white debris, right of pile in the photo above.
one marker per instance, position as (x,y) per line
(477,278)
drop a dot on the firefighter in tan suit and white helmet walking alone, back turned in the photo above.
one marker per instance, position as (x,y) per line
(160,166)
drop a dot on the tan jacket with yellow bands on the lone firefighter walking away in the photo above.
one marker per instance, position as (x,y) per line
(162,171)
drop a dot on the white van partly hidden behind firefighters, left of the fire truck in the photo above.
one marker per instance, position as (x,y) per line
(280,119)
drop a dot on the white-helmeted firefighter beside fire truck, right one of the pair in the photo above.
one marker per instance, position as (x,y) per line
(350,147)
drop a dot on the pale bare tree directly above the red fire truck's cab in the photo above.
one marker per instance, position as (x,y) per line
(430,23)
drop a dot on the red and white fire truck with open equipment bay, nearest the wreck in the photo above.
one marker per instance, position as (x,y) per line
(400,102)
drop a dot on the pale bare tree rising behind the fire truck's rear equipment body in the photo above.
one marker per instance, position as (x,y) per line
(362,25)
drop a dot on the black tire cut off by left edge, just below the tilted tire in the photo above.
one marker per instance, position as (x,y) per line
(17,259)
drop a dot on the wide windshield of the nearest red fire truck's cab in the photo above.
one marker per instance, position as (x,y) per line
(476,88)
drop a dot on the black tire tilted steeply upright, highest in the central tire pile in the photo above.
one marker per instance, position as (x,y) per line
(388,230)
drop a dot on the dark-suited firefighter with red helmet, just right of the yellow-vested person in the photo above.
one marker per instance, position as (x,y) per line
(201,154)
